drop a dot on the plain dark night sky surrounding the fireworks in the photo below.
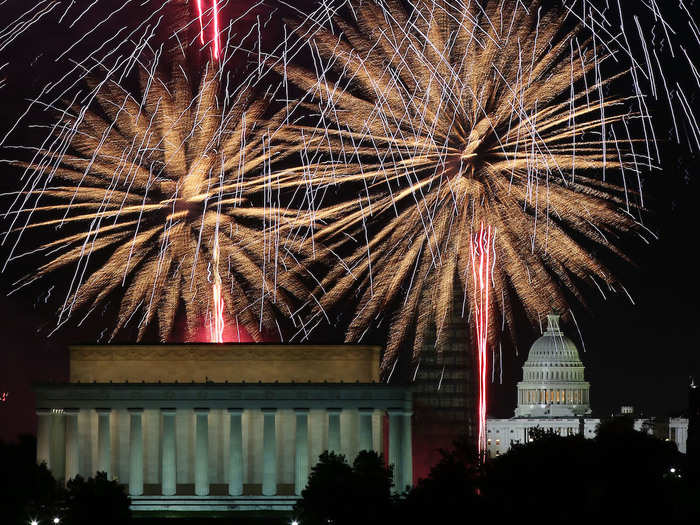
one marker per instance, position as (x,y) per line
(640,355)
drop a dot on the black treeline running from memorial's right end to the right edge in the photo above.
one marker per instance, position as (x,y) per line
(621,475)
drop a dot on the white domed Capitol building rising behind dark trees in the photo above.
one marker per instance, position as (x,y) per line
(554,395)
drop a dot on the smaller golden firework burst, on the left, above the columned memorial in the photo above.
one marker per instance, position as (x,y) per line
(154,190)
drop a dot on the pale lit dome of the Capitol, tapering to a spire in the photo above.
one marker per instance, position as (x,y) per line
(553,381)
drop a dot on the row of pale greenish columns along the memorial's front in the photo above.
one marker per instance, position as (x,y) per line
(83,441)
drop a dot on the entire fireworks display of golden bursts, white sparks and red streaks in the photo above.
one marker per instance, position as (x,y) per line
(373,165)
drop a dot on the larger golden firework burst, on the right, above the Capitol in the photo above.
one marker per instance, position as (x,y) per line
(432,121)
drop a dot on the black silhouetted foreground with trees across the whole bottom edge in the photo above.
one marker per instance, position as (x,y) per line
(620,475)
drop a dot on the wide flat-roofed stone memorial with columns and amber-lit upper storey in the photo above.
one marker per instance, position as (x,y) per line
(219,427)
